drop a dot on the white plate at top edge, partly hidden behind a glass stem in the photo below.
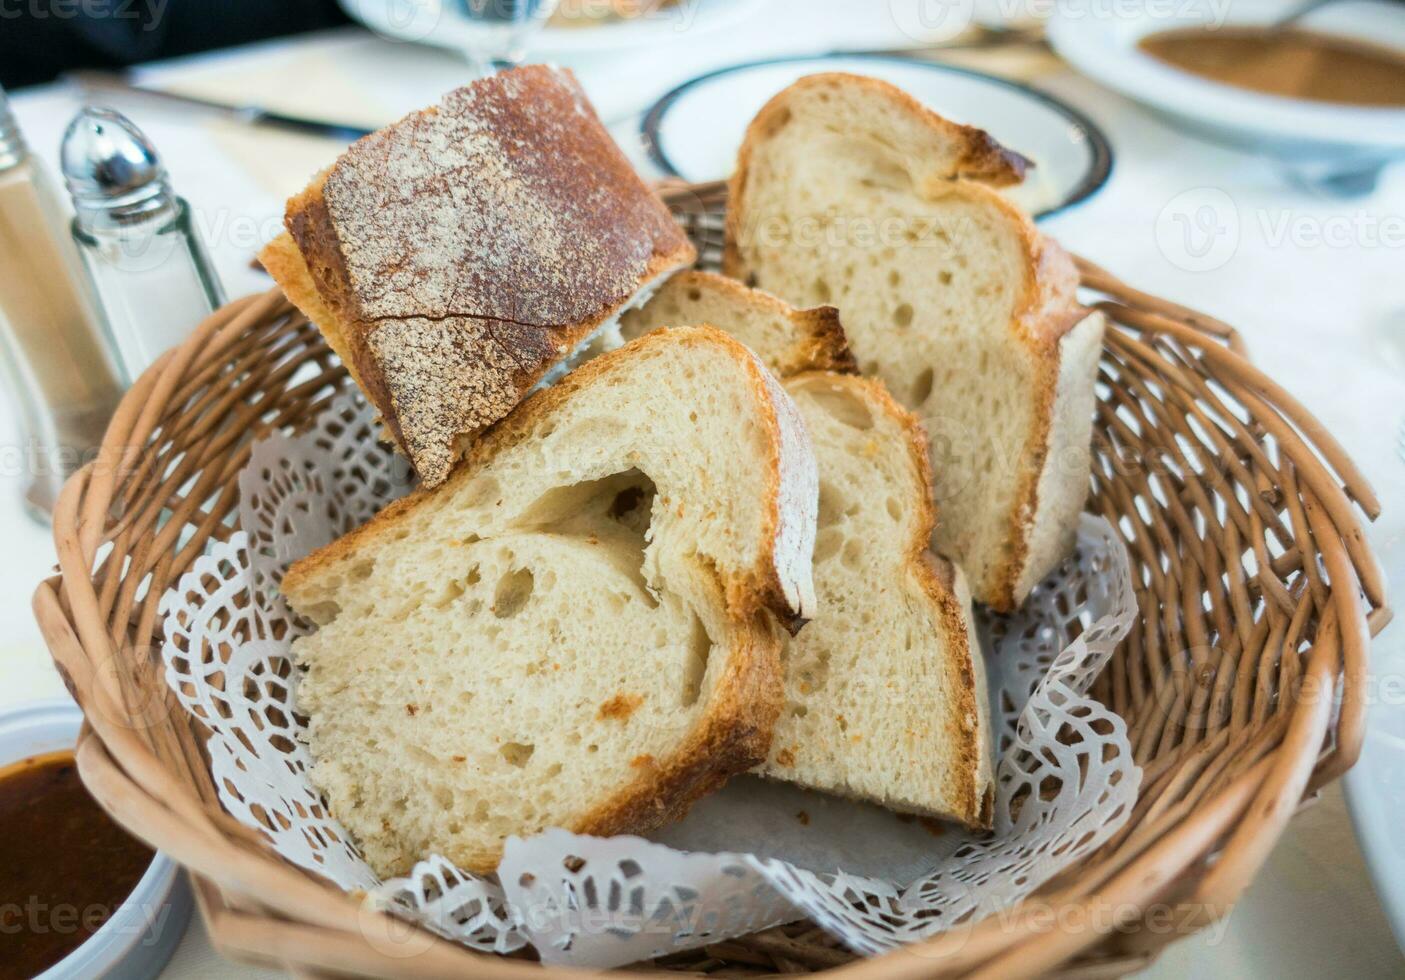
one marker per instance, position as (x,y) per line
(429,22)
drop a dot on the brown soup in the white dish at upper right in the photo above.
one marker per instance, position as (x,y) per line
(1289,62)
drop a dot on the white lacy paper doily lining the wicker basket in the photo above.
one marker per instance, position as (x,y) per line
(754,856)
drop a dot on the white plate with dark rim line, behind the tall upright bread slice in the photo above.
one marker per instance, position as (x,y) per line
(696,130)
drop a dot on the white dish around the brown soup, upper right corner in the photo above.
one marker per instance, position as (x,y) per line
(1337,137)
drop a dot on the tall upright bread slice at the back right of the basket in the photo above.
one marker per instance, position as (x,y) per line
(851,193)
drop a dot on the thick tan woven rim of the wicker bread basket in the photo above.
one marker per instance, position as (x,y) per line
(259,908)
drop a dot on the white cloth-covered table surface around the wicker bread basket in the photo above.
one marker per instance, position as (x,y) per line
(1323,314)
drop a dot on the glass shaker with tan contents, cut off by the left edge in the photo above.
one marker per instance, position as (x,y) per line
(58,369)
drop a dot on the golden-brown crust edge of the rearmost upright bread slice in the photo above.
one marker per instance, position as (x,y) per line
(1047,310)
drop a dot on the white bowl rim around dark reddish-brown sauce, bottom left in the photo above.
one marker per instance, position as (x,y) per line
(140,937)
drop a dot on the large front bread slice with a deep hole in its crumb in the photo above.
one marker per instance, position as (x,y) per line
(581,628)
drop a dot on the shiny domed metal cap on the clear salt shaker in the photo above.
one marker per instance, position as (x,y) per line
(113,172)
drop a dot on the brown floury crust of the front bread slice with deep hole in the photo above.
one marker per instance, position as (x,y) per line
(736,732)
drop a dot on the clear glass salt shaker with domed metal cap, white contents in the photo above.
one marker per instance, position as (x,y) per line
(152,274)
